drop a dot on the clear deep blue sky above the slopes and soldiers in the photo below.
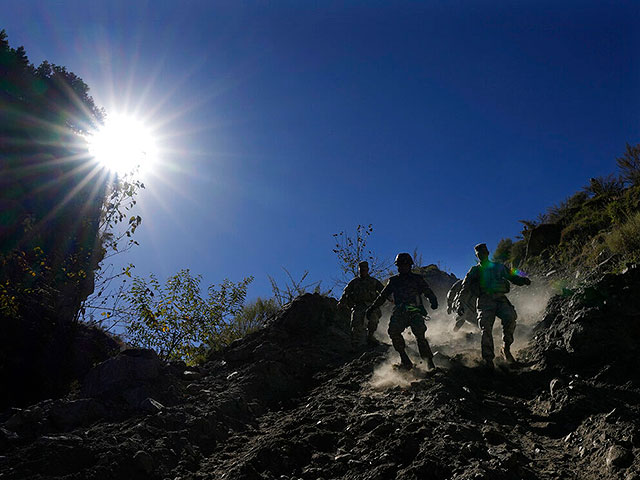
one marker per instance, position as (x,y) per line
(281,123)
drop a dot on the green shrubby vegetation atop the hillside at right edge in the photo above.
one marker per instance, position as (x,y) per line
(599,223)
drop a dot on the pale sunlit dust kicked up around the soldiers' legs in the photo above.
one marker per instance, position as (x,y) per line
(462,346)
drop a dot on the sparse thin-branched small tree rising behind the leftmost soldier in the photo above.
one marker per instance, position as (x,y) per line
(352,249)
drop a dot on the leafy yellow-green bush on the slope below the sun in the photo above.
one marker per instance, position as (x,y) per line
(178,320)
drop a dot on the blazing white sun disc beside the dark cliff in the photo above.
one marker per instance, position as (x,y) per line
(123,144)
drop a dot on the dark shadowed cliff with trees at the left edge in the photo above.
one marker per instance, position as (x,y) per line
(51,198)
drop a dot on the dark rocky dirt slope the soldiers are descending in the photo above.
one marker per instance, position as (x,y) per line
(292,401)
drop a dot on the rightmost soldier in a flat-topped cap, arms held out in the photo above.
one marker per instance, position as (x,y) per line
(489,281)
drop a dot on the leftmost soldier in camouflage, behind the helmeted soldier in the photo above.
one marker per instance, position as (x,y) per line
(357,296)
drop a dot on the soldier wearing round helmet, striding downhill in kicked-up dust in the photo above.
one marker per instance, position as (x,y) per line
(407,289)
